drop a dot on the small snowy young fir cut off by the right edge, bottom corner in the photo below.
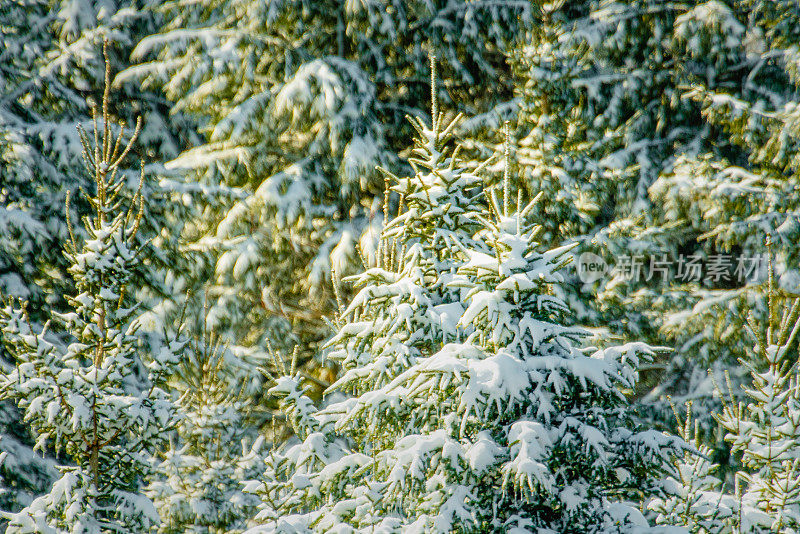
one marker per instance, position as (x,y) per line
(765,430)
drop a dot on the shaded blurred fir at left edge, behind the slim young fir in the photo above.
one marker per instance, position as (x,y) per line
(50,63)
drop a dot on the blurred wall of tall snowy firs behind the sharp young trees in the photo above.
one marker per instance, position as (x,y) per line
(662,137)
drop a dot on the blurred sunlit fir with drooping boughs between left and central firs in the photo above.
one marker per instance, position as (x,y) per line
(299,102)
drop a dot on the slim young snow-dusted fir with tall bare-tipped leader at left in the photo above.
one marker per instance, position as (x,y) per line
(96,396)
